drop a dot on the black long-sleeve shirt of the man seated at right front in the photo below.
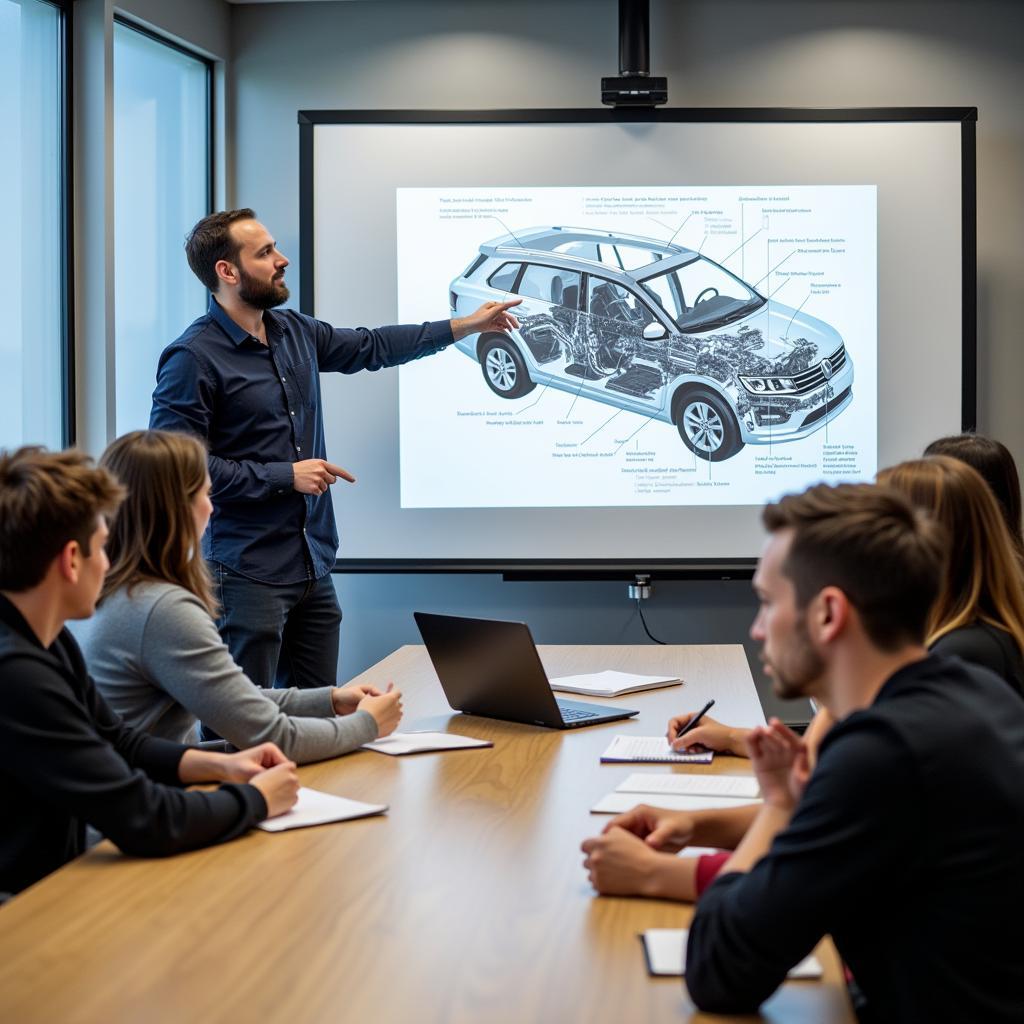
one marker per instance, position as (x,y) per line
(908,847)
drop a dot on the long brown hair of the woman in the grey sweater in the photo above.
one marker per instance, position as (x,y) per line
(154,536)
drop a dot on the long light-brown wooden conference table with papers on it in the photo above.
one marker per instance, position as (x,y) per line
(466,903)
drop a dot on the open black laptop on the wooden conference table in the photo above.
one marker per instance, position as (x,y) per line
(492,669)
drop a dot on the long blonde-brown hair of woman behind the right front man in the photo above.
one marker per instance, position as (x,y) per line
(984,580)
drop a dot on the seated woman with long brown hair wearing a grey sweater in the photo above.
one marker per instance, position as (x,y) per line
(153,647)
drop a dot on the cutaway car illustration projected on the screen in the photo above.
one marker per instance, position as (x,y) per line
(657,329)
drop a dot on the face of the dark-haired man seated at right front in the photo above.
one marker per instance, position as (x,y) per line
(787,654)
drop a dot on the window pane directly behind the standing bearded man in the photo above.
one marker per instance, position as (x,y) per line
(162,162)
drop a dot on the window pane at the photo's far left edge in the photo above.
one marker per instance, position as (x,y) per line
(34,392)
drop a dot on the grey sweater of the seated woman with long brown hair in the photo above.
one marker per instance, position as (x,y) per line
(159,661)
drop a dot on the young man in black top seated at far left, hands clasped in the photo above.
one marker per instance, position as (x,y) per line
(69,760)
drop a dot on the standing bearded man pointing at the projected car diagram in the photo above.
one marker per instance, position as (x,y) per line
(247,381)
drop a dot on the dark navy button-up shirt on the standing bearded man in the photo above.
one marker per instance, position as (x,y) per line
(259,409)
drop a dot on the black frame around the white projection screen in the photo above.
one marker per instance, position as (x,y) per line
(691,569)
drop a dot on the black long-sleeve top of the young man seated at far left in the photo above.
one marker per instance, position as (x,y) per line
(67,760)
